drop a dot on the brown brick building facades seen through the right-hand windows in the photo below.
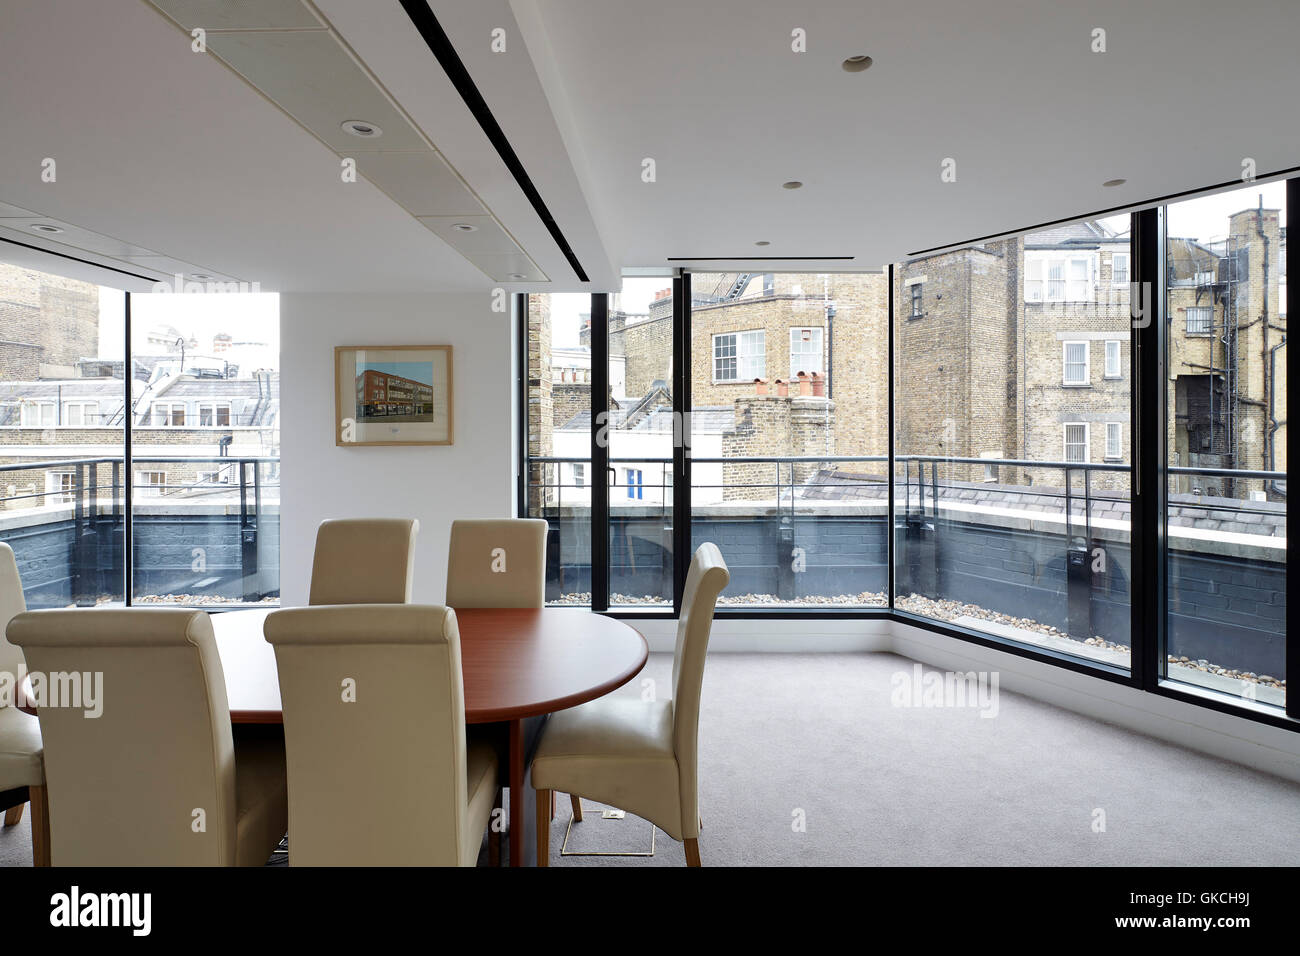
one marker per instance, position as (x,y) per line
(1016,349)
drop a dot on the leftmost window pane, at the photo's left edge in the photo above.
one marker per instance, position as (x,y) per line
(62,436)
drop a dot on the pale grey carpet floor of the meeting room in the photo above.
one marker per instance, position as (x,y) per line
(807,762)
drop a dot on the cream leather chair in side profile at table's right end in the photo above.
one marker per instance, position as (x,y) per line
(640,756)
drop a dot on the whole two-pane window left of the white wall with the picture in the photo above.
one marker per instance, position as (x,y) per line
(167,452)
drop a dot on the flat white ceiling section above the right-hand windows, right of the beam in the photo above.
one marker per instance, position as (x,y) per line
(1009,89)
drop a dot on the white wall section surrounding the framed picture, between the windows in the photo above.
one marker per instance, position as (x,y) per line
(474,478)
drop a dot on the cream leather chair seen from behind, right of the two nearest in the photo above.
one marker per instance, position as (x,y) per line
(375,729)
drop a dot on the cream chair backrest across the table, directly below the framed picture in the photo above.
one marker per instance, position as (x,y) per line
(365,561)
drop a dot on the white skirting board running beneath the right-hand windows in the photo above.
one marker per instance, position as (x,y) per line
(1254,745)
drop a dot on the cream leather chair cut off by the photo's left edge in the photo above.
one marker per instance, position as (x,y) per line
(23,776)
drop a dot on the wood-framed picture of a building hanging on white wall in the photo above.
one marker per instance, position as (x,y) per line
(393,395)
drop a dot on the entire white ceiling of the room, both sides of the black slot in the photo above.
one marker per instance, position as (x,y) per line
(174,154)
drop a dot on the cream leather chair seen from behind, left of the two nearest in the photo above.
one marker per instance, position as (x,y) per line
(157,778)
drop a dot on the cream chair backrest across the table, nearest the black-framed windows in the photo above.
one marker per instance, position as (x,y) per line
(497,564)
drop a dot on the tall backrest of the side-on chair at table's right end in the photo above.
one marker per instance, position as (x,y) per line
(705,582)
